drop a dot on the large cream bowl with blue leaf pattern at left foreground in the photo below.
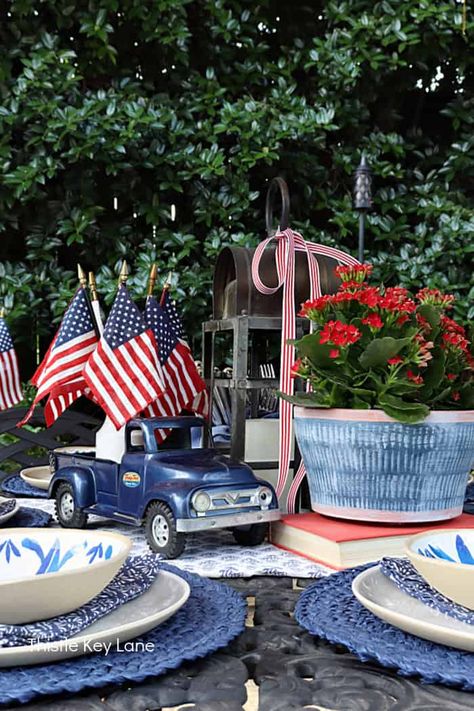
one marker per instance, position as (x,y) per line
(45,573)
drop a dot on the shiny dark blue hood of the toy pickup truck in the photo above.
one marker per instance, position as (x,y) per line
(205,465)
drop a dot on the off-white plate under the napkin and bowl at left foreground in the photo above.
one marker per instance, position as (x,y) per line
(163,599)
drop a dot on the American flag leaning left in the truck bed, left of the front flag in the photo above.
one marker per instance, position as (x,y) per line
(60,373)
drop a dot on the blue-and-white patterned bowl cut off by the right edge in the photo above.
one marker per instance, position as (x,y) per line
(445,559)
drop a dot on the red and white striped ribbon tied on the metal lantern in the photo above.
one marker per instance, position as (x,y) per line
(287,244)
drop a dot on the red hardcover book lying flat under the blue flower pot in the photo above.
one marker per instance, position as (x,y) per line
(341,544)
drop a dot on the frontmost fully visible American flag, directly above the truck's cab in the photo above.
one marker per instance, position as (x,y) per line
(123,373)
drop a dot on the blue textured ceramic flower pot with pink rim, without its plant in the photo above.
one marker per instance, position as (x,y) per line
(362,464)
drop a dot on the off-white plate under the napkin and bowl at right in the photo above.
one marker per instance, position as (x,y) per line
(382,597)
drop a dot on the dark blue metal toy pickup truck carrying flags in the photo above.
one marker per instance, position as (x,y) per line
(174,487)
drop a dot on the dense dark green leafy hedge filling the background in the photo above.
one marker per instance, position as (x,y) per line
(197,104)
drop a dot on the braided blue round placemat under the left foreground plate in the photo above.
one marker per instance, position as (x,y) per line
(213,615)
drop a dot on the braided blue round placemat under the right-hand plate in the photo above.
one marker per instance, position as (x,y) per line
(328,609)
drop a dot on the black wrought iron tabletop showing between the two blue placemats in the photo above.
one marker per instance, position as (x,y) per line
(292,670)
